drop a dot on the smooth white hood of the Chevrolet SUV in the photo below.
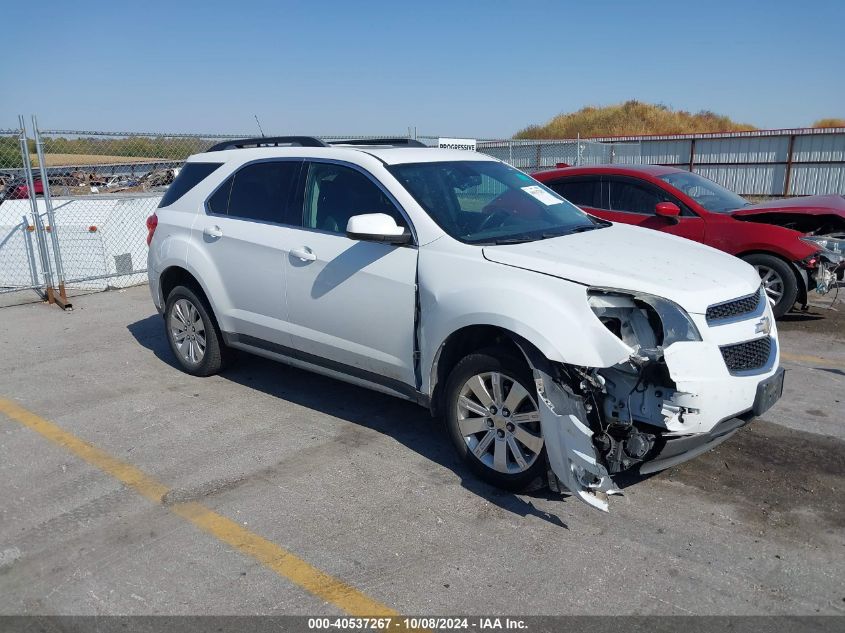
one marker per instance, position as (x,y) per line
(642,260)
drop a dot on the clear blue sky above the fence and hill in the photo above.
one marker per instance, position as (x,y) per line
(482,69)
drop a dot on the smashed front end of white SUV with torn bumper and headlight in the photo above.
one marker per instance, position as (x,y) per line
(675,395)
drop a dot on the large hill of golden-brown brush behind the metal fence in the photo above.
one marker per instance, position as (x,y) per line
(629,119)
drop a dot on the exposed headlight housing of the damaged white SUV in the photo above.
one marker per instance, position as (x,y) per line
(642,321)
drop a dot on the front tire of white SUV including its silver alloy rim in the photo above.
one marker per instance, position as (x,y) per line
(489,444)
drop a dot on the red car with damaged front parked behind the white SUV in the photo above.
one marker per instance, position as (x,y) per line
(796,244)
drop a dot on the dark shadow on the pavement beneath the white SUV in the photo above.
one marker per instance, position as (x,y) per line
(407,423)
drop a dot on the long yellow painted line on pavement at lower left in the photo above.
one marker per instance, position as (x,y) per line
(269,554)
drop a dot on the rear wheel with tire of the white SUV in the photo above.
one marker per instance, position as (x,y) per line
(200,351)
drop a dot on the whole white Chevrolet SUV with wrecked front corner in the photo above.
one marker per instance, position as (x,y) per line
(553,343)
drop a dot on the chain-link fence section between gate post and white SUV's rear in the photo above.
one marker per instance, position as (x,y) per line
(102,188)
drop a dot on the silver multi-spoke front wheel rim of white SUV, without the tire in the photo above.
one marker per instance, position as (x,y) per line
(500,422)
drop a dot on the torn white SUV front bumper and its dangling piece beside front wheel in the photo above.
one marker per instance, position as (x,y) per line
(716,403)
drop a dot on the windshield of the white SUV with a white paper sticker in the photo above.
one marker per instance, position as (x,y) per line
(487,202)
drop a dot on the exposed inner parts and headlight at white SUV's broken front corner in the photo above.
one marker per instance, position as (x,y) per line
(631,406)
